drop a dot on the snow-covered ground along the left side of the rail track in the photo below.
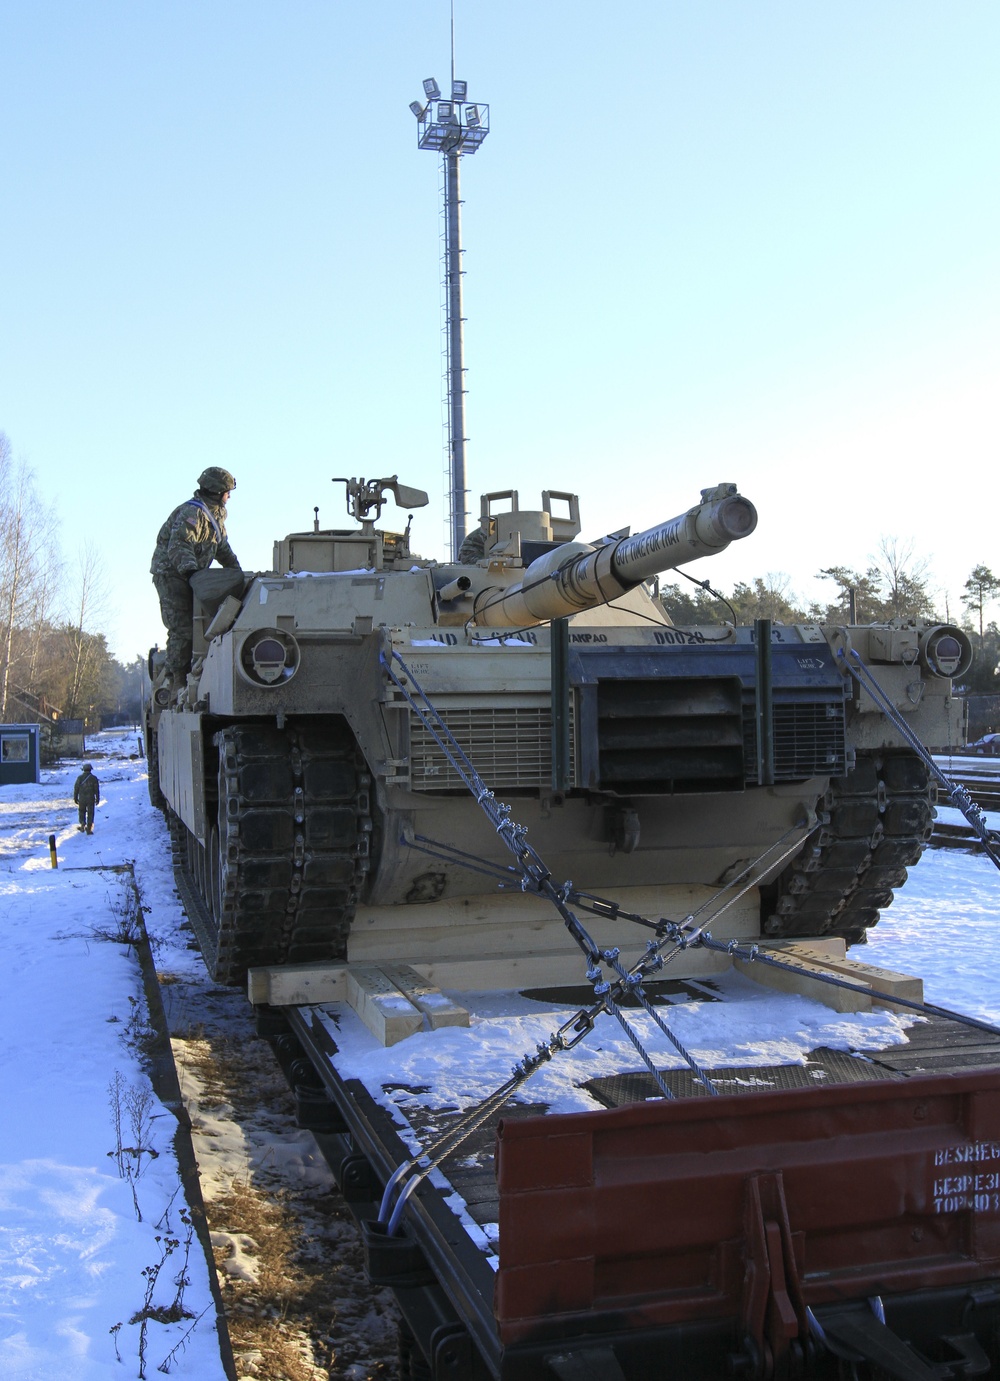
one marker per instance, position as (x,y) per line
(97,1256)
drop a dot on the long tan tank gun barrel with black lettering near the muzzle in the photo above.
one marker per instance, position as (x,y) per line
(578,577)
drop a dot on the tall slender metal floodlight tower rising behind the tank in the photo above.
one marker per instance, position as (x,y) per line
(452,126)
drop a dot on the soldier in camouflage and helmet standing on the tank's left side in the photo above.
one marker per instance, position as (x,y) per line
(190,541)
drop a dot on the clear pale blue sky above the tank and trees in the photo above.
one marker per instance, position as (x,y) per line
(706,241)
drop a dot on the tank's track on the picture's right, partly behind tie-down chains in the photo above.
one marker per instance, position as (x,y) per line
(876,824)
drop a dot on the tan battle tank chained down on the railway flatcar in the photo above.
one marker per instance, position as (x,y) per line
(673,771)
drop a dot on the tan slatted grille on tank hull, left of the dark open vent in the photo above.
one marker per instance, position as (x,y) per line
(510,746)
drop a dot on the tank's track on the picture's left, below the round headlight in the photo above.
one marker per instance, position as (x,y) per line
(280,876)
